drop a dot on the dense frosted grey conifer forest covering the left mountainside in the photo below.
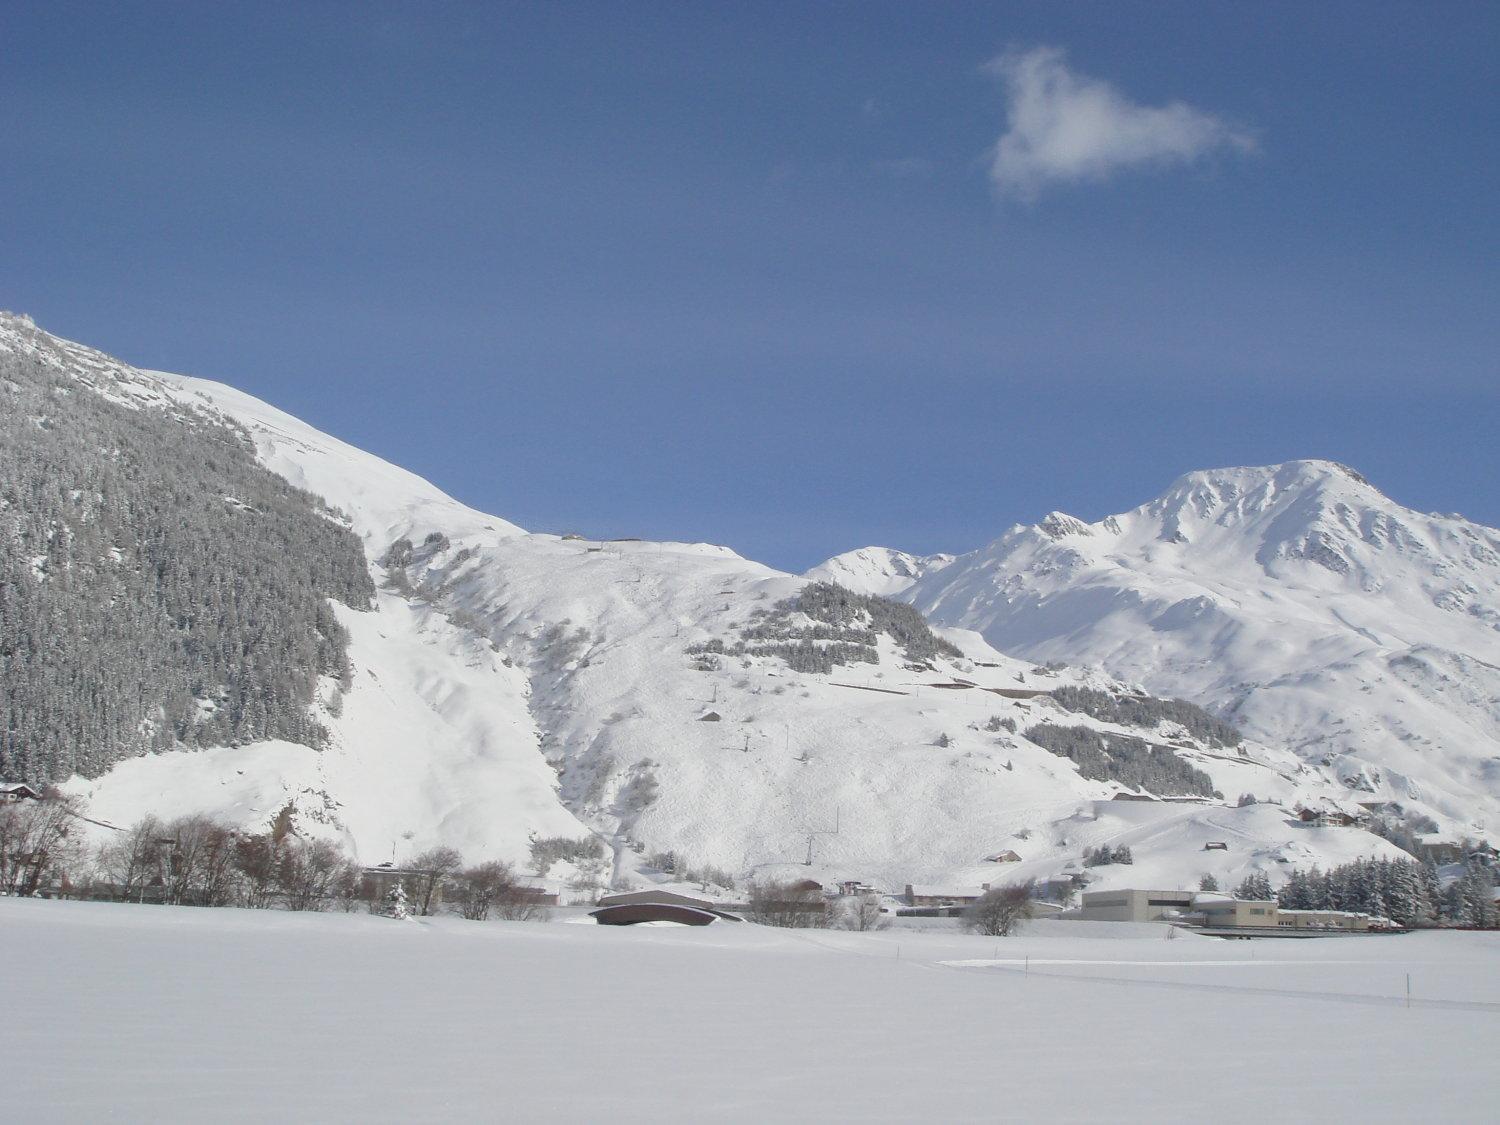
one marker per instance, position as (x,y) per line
(158,586)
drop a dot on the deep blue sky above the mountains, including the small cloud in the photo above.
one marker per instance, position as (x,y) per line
(769,275)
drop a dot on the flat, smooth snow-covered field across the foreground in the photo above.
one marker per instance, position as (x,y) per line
(137,1013)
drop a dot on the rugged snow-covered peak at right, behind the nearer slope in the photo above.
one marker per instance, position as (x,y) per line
(1295,601)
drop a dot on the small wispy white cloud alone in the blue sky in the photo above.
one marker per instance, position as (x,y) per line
(1064,127)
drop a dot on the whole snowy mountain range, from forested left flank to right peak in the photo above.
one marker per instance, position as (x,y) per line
(440,676)
